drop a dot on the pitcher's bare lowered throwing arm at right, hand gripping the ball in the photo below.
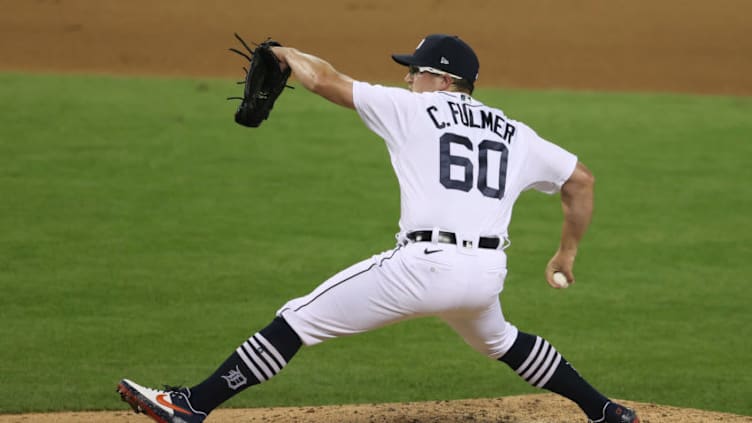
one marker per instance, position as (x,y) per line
(577,206)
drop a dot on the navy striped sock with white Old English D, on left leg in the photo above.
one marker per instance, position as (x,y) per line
(256,360)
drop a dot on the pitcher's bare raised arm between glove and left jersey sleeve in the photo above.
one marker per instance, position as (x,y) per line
(318,75)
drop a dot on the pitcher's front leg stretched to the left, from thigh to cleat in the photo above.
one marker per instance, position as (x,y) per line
(355,300)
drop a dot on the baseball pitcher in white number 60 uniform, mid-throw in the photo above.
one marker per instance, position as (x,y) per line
(461,165)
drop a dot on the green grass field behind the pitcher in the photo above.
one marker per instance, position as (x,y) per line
(145,235)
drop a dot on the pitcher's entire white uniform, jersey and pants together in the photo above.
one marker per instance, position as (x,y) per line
(460,165)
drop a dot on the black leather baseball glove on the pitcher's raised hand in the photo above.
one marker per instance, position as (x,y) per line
(264,82)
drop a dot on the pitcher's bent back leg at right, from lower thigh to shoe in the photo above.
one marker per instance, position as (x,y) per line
(535,360)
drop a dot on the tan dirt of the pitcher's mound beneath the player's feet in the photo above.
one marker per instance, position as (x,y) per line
(544,408)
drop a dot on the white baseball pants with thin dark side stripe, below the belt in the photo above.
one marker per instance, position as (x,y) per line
(460,285)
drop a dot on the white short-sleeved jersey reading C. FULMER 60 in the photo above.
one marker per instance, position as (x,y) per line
(460,164)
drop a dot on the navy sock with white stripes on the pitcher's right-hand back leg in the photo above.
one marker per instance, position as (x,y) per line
(538,362)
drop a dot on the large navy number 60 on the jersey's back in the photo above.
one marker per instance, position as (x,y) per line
(466,183)
